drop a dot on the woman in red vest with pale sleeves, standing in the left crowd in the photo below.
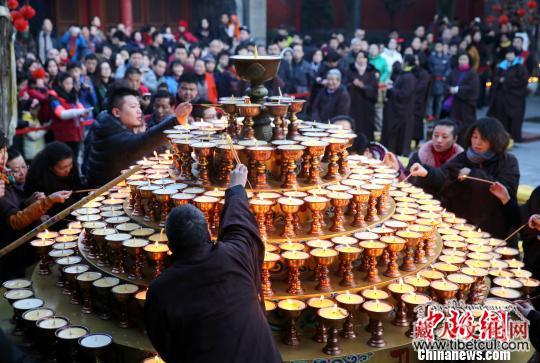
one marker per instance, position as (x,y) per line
(67,112)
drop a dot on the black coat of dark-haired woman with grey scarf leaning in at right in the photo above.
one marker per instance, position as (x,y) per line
(471,199)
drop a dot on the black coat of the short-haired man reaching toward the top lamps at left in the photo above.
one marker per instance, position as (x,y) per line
(112,147)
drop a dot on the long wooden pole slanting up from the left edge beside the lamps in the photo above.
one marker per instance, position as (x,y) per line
(55,219)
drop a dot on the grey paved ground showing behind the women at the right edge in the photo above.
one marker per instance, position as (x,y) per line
(528,153)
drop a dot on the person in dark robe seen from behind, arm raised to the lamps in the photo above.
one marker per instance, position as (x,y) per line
(208,306)
